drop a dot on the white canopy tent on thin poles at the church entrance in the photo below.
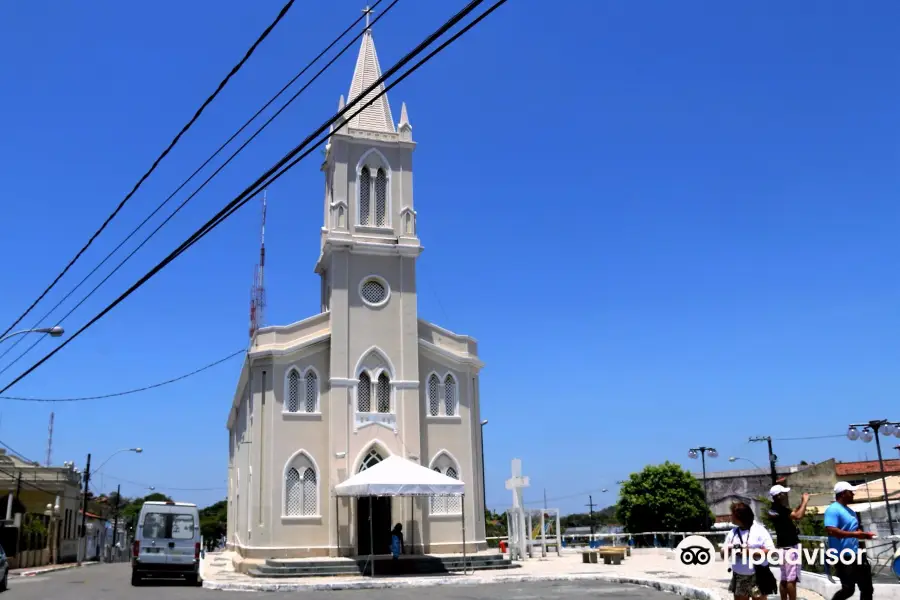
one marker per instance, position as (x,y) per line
(396,476)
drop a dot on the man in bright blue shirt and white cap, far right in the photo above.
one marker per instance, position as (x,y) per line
(844,533)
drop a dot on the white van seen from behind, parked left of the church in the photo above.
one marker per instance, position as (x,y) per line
(166,542)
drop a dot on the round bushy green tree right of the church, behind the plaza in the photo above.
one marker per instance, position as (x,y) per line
(662,498)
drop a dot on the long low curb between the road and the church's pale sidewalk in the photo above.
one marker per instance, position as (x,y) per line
(684,590)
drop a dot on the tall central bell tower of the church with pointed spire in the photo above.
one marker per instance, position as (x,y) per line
(367,265)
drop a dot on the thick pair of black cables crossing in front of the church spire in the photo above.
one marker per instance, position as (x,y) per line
(273,174)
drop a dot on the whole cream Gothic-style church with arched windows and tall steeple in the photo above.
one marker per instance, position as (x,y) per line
(327,397)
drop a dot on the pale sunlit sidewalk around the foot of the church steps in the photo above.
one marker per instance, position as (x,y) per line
(645,567)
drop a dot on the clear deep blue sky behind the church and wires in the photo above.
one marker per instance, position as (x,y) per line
(667,224)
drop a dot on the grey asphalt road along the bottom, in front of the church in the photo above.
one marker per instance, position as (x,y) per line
(112,582)
